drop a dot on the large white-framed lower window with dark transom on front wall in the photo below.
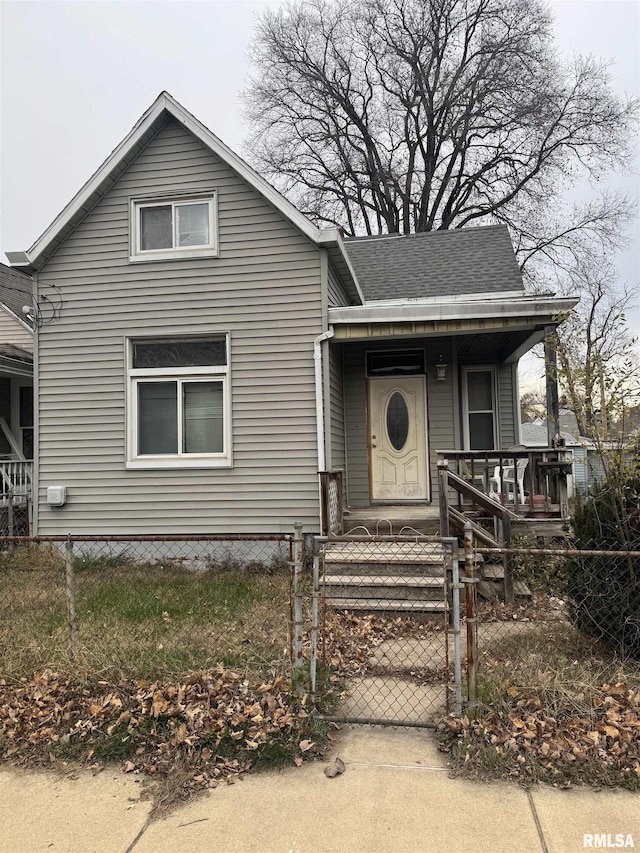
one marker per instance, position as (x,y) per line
(179,402)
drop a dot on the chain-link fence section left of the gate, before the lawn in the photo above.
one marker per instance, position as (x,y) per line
(144,607)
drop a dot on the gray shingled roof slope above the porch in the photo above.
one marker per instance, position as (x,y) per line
(457,262)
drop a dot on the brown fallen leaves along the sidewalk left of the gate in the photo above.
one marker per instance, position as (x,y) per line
(190,735)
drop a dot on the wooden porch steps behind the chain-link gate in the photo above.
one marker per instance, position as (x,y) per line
(385,576)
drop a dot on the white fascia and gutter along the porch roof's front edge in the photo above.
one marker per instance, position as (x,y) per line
(408,312)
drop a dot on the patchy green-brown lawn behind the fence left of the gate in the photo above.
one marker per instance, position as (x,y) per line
(137,619)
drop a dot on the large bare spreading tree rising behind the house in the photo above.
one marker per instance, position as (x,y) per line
(413,115)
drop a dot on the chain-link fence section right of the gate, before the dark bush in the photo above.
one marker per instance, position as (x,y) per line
(586,602)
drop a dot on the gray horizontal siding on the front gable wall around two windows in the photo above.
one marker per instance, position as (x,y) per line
(264,289)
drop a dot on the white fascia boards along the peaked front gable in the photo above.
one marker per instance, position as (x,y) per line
(162,103)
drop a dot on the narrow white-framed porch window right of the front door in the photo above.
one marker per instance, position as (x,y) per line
(479,408)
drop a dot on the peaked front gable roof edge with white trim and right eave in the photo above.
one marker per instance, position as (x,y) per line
(120,158)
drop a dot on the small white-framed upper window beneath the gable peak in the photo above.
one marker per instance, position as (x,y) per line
(176,227)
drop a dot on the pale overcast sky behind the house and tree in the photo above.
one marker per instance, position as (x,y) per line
(76,76)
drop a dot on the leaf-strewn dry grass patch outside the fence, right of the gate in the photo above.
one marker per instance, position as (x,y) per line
(554,707)
